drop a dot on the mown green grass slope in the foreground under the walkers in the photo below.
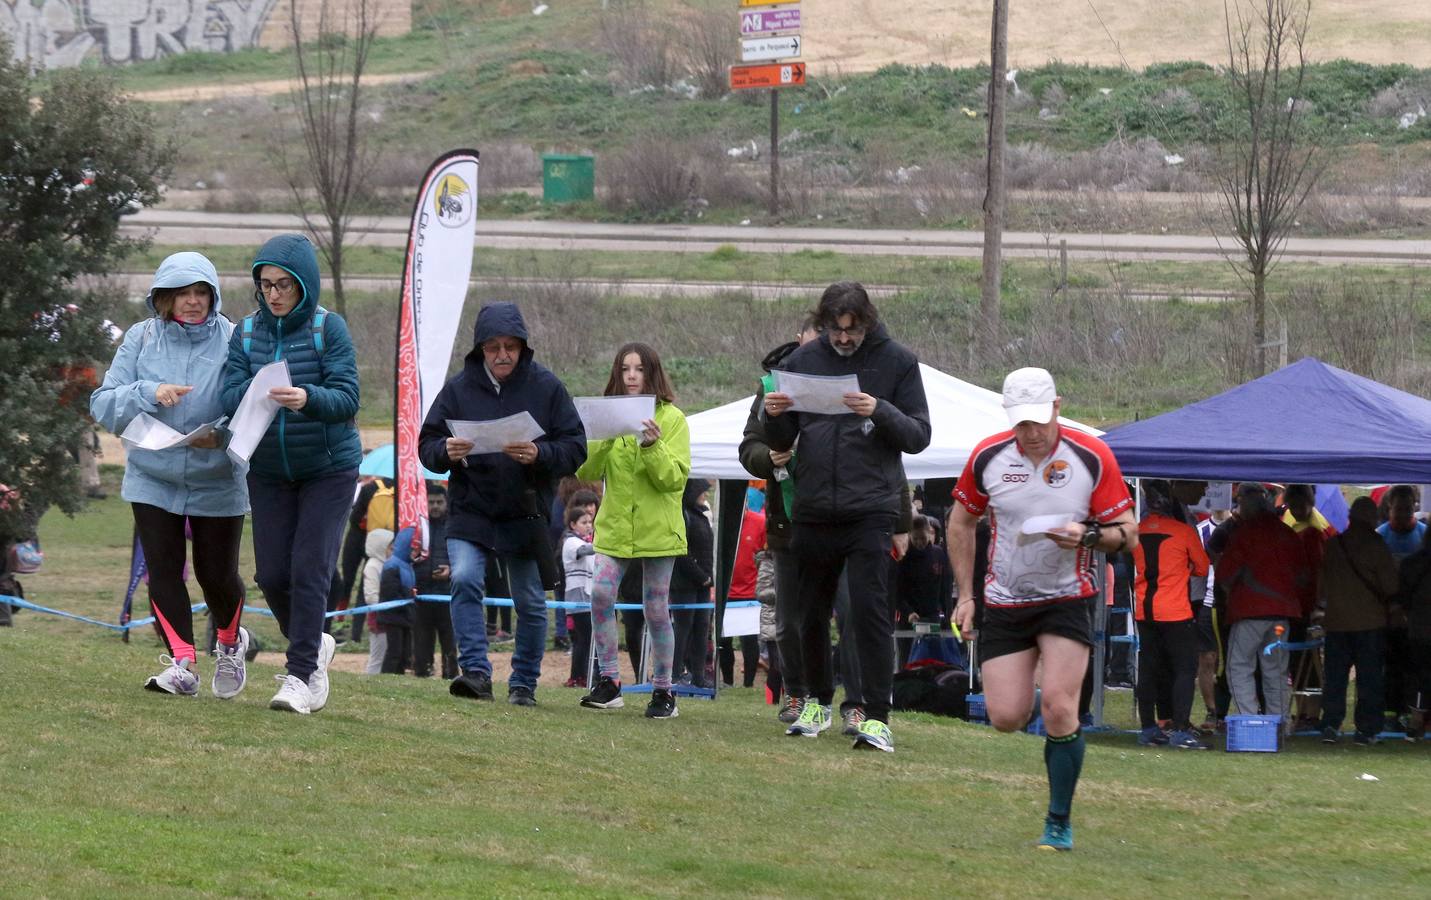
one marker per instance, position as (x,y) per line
(400,791)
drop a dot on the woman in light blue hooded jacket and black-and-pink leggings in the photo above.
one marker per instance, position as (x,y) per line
(170,368)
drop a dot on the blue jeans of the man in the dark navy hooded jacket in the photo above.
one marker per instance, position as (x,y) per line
(469,564)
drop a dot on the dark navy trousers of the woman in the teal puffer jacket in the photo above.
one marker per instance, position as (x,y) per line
(298,529)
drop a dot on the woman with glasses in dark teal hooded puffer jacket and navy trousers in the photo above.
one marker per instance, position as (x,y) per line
(304,473)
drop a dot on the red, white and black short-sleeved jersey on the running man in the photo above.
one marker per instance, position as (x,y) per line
(1078,481)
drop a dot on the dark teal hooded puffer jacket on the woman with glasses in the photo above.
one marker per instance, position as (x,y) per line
(323,437)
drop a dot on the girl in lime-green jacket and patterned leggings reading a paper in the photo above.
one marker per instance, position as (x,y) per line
(640,519)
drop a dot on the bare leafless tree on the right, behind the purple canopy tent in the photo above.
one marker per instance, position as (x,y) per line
(1267,165)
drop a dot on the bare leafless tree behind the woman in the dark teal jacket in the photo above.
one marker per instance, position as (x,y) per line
(337,161)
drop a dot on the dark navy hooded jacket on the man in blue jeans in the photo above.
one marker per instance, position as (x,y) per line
(490,490)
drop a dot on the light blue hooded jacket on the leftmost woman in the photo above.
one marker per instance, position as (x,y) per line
(181,480)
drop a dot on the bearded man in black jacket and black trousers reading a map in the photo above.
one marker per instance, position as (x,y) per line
(848,497)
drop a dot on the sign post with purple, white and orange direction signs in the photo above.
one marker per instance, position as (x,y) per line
(771,34)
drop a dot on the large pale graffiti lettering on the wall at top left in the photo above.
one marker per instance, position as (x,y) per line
(59,34)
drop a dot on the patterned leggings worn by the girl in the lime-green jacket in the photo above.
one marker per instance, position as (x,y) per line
(656,600)
